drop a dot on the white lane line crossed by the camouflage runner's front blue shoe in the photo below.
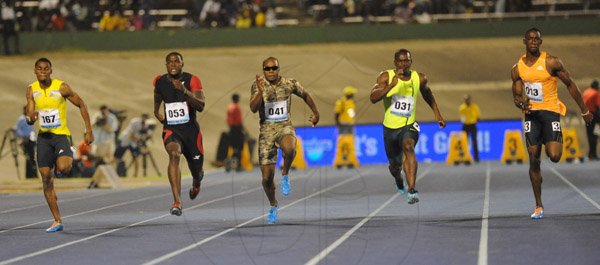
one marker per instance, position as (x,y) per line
(208,239)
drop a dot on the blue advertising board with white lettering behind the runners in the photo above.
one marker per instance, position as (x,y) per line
(319,143)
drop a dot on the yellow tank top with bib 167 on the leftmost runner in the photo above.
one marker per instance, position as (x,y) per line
(52,108)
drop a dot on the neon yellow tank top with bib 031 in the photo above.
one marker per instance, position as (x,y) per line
(401,101)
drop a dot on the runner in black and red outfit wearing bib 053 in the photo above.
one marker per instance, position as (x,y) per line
(182,95)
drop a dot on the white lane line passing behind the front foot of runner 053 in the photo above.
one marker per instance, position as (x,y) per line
(19,258)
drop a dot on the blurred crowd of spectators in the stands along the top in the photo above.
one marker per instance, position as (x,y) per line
(109,15)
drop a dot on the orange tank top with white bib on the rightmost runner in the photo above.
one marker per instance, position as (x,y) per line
(540,87)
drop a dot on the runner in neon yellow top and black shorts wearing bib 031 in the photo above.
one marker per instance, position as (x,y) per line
(399,89)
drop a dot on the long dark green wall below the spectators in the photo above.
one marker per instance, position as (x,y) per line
(182,38)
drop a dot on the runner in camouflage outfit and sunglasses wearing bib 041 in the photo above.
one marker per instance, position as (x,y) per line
(271,97)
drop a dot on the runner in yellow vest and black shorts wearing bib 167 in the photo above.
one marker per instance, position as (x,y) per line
(46,103)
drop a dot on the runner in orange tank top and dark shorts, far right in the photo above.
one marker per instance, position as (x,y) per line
(535,93)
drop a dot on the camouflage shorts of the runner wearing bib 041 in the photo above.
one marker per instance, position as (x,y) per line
(268,140)
